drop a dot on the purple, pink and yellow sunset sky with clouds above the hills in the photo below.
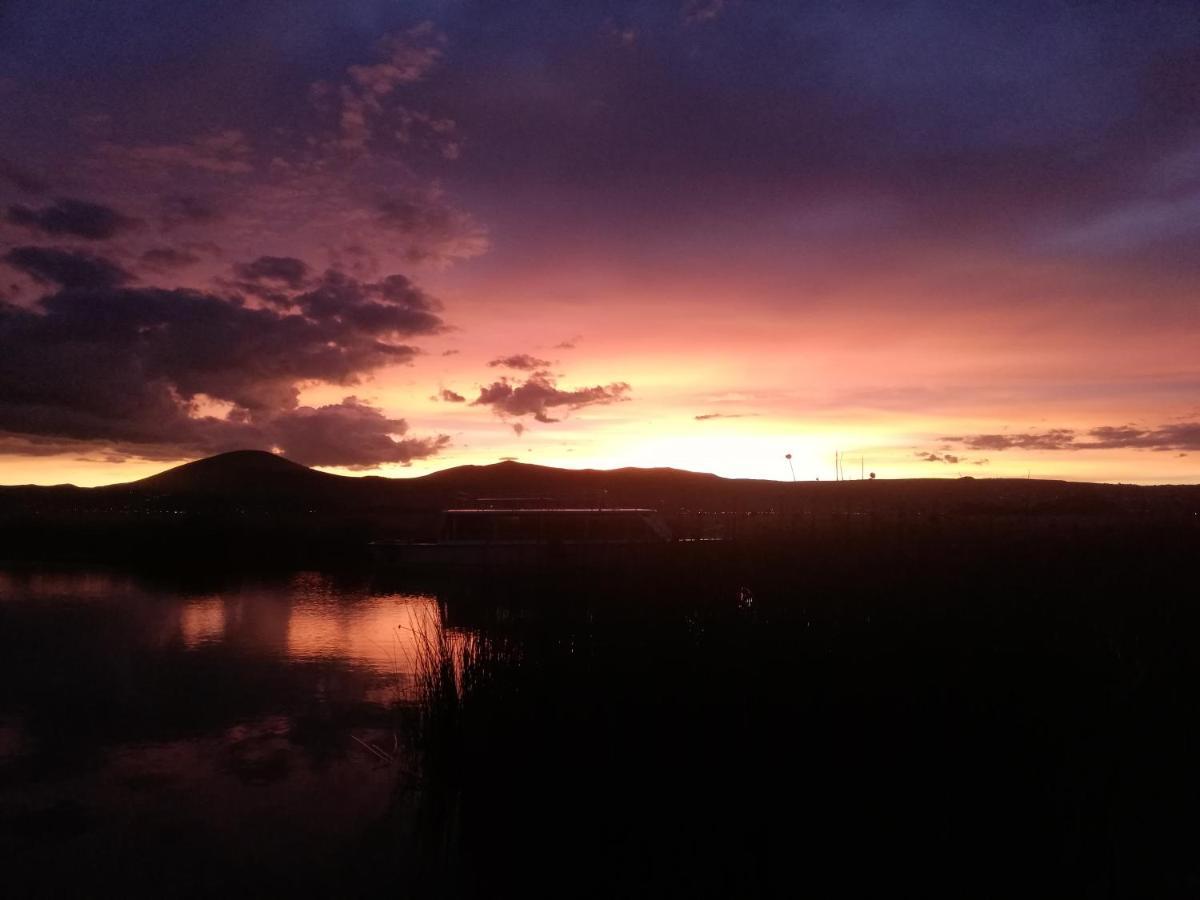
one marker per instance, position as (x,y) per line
(377,237)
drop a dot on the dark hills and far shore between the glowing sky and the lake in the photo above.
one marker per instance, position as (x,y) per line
(260,505)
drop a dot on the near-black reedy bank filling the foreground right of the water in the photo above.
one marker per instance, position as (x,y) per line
(943,709)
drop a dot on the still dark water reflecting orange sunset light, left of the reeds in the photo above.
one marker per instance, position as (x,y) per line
(197,736)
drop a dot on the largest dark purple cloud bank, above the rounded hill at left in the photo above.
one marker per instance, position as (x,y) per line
(135,368)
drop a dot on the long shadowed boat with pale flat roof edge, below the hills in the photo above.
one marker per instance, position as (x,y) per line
(536,539)
